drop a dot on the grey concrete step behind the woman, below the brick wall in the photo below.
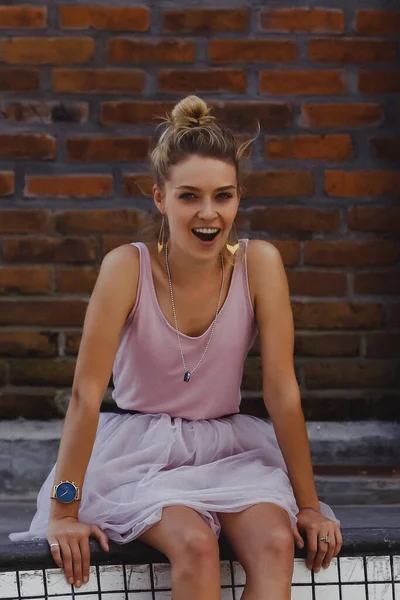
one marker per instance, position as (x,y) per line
(28,450)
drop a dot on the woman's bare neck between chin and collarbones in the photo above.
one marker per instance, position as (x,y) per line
(186,271)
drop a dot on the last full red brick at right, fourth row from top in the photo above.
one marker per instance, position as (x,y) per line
(341,115)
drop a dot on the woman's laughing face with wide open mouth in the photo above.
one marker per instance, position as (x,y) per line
(200,194)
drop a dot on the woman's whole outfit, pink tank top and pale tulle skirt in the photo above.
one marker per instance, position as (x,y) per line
(185,444)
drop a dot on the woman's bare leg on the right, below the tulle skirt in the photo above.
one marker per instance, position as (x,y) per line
(262,539)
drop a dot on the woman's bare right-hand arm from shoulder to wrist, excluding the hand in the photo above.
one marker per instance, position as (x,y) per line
(280,388)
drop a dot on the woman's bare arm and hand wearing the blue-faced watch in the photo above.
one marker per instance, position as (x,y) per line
(113,297)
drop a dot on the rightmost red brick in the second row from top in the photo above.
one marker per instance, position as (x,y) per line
(350,50)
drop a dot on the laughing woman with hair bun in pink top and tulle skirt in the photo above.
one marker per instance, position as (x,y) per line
(173,322)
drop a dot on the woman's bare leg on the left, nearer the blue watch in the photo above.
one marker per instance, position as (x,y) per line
(192,549)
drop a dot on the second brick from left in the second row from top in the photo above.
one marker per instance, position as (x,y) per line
(121,50)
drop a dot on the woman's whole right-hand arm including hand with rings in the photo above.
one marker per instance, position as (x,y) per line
(282,400)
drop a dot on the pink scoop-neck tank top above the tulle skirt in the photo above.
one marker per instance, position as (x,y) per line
(148,370)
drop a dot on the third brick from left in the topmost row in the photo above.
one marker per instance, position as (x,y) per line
(206,20)
